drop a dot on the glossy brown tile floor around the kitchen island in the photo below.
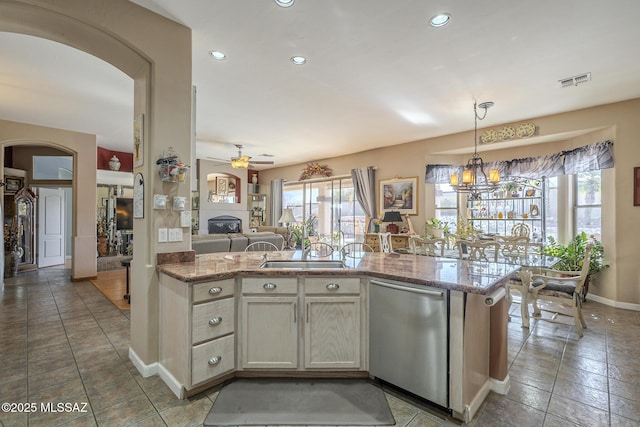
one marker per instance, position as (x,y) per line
(65,342)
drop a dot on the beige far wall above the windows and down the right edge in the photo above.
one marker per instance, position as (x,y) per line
(621,220)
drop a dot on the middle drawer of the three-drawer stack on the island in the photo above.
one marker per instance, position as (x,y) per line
(212,319)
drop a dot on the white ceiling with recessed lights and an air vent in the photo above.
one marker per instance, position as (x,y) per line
(377,74)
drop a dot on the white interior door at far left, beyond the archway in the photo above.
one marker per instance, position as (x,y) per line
(51,219)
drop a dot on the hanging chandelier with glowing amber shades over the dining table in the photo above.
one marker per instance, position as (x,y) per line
(474,177)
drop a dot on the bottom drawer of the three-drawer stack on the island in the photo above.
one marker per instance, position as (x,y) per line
(211,359)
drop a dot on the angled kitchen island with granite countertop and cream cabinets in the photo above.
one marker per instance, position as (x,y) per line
(223,316)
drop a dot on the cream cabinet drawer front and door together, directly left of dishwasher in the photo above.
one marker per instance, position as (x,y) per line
(332,326)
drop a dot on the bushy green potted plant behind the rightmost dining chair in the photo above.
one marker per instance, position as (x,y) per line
(571,255)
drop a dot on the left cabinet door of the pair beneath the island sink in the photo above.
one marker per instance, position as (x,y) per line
(269,332)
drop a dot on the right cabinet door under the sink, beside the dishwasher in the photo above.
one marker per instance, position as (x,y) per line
(332,332)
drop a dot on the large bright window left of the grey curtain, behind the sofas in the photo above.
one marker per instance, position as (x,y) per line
(330,208)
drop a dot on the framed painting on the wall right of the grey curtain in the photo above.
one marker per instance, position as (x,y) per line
(398,194)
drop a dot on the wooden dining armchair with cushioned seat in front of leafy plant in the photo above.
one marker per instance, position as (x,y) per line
(559,287)
